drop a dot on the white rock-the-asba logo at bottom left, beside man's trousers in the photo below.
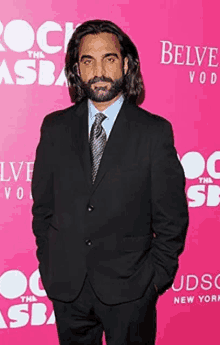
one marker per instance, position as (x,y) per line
(24,293)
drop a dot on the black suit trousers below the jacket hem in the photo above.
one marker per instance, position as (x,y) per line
(84,320)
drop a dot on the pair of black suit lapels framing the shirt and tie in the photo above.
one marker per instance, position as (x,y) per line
(115,146)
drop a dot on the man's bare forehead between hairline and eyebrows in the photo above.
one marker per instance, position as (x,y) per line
(98,42)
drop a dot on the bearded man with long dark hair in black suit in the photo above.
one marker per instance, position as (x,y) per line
(110,213)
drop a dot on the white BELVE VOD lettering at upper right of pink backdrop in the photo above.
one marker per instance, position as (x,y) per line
(203,61)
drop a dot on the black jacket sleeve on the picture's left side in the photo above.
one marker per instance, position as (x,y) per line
(42,188)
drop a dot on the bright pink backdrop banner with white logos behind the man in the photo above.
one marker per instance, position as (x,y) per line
(178,44)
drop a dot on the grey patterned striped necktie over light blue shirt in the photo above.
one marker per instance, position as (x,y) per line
(97,143)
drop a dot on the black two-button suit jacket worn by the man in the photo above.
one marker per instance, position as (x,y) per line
(125,230)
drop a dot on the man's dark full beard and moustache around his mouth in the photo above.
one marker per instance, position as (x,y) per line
(106,95)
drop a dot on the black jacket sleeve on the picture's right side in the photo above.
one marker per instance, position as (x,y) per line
(169,209)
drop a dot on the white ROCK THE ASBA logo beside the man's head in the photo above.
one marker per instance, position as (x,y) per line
(27,53)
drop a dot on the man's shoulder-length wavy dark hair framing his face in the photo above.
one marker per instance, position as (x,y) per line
(133,86)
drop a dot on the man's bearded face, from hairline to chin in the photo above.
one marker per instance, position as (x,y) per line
(101,66)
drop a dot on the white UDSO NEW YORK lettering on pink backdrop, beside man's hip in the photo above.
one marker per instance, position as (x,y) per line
(192,288)
